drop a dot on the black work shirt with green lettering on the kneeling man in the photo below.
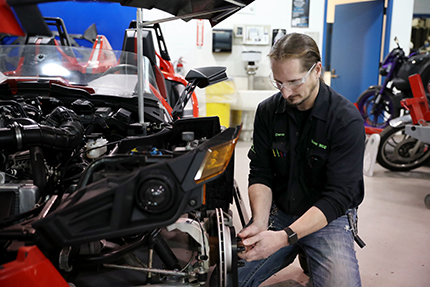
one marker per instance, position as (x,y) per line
(321,166)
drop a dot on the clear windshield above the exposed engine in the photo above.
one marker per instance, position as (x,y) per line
(99,71)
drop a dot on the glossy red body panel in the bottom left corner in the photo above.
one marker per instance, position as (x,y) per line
(31,268)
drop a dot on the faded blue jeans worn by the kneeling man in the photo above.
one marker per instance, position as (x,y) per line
(330,255)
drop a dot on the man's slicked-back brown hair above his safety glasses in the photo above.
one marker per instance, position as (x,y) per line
(296,46)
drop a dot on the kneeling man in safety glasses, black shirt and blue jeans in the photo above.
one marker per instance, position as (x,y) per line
(305,173)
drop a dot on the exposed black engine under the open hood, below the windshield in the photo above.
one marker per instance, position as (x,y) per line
(47,144)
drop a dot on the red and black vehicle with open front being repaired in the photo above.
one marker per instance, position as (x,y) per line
(104,178)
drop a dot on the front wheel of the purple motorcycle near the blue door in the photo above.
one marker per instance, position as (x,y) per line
(383,113)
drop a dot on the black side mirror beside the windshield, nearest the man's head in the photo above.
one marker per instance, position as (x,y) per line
(206,76)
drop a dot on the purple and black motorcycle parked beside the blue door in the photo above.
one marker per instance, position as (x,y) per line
(379,104)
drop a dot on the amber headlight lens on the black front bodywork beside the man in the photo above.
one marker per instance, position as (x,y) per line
(215,161)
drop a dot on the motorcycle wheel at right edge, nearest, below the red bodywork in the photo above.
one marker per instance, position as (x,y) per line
(396,153)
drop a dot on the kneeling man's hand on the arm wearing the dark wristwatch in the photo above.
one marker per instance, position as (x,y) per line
(263,244)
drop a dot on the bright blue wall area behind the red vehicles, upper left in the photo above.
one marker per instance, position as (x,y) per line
(111,19)
